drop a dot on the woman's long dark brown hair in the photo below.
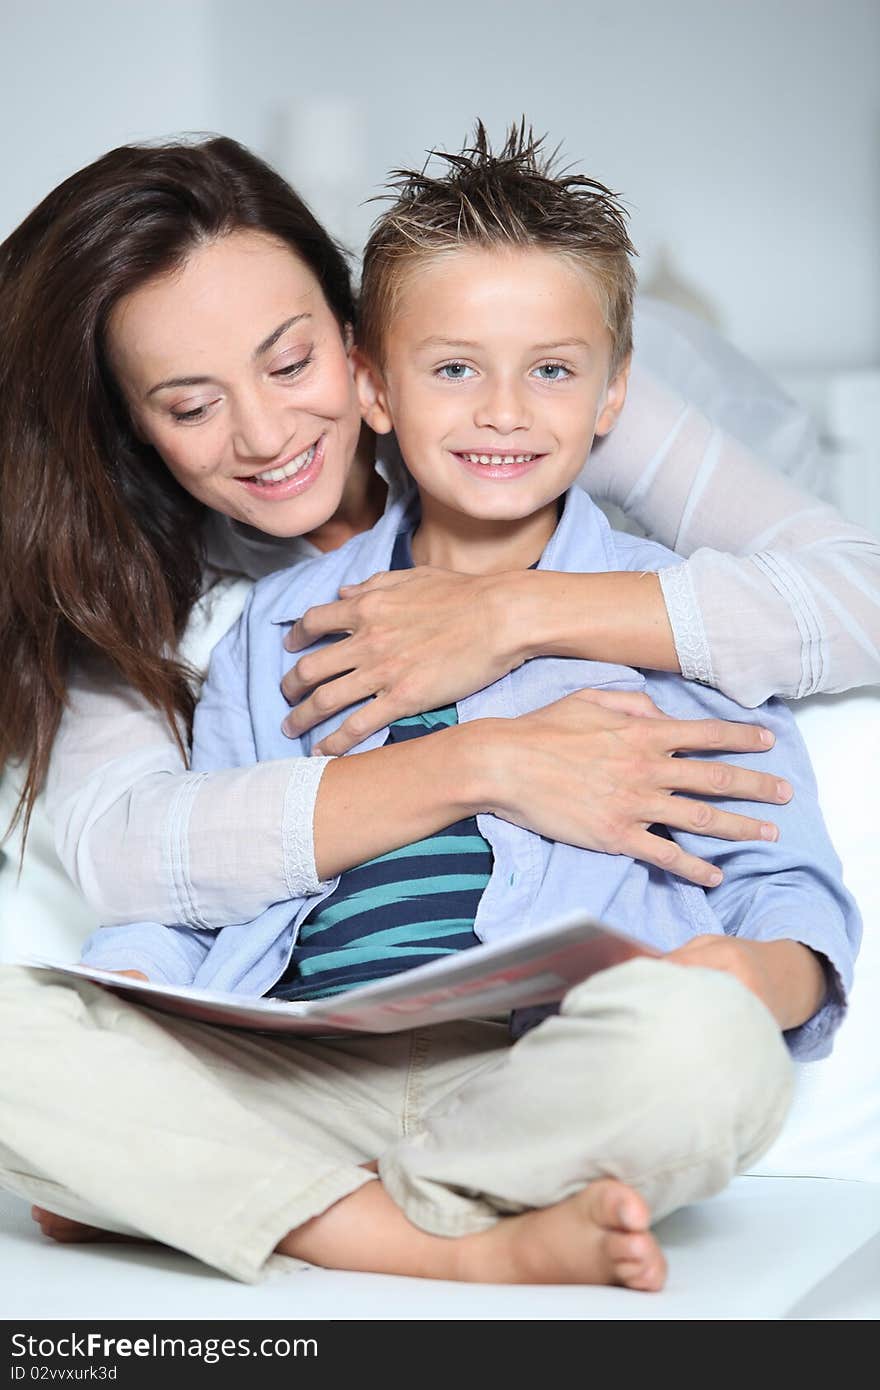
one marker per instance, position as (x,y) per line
(101,548)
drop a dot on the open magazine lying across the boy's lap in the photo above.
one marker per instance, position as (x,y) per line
(486,982)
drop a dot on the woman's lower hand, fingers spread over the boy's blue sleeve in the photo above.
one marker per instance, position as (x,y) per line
(596,771)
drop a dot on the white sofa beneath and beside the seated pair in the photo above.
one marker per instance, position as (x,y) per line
(797,1239)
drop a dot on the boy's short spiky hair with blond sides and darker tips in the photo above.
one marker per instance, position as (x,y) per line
(514,199)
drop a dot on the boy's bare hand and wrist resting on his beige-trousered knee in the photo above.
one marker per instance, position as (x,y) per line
(785,975)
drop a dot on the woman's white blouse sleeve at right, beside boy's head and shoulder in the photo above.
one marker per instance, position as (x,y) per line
(779,596)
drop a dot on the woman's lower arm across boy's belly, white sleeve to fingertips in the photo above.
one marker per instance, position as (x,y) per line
(147,840)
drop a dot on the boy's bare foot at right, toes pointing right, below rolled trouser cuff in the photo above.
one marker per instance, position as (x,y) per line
(600,1236)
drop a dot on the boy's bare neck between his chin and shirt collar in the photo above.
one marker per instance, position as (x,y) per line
(454,541)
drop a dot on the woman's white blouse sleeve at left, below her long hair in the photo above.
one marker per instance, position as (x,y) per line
(145,839)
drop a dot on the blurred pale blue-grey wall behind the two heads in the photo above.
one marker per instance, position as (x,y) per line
(744,134)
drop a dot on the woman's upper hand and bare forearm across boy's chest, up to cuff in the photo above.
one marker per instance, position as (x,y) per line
(422,639)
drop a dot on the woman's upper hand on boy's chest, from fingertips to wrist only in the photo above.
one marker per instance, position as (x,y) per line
(418,640)
